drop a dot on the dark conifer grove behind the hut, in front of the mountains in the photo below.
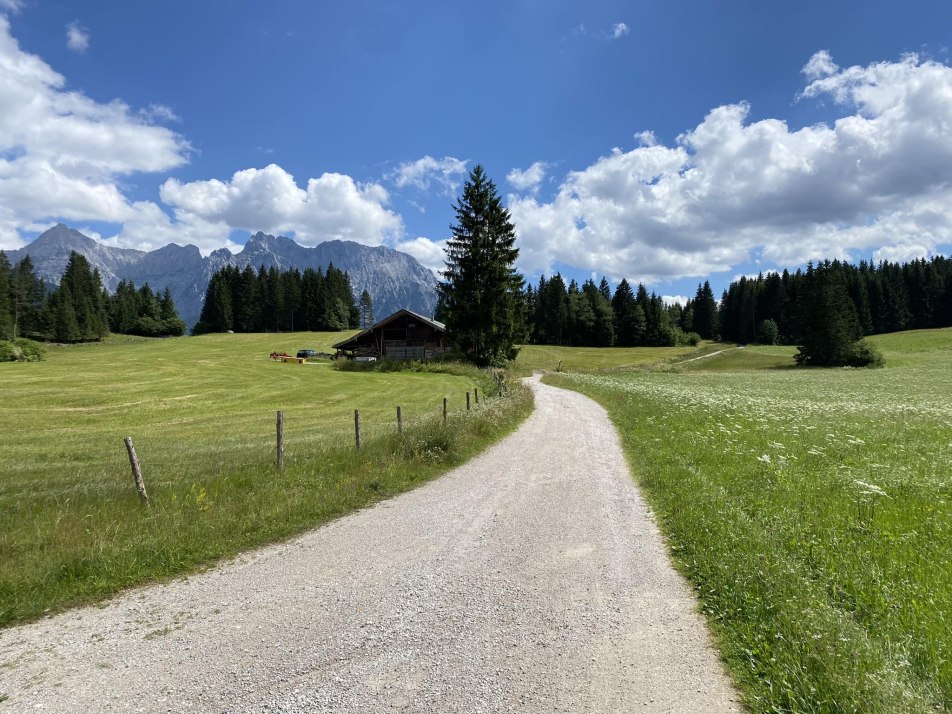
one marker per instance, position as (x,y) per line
(271,300)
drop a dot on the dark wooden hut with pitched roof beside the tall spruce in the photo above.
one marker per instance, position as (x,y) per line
(403,335)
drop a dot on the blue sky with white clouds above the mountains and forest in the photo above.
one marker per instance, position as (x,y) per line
(666,142)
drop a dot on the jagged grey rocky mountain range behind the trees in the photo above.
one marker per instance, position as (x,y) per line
(393,279)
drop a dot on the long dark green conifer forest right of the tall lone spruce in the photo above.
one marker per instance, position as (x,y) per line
(825,310)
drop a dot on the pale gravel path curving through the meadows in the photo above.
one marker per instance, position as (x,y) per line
(532,579)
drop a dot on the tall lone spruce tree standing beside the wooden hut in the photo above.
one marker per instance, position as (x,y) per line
(480,291)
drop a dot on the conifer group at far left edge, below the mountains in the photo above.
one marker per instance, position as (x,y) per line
(79,309)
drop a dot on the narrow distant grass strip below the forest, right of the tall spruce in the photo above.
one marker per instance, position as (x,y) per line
(585,359)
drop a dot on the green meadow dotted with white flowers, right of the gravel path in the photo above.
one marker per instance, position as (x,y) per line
(812,509)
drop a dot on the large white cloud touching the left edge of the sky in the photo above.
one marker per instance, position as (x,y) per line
(62,154)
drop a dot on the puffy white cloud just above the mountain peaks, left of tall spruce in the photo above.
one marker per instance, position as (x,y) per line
(332,206)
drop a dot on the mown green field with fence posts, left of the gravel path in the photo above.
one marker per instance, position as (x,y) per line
(202,413)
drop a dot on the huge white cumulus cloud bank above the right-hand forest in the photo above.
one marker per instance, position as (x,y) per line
(879,178)
